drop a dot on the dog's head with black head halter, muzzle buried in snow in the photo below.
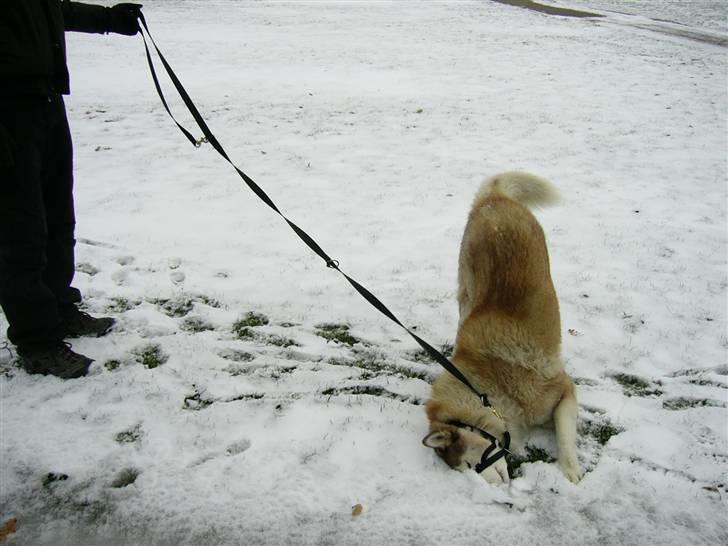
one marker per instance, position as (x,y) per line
(467,448)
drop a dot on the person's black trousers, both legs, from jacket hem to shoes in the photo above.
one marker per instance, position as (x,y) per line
(36,220)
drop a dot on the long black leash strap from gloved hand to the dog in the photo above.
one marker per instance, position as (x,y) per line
(305,237)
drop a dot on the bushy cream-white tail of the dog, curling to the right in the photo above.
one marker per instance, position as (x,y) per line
(527,189)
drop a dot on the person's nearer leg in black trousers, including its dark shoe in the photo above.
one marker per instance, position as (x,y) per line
(30,306)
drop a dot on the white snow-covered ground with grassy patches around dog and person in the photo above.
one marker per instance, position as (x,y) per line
(371,124)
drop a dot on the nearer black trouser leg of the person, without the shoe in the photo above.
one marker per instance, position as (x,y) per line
(28,303)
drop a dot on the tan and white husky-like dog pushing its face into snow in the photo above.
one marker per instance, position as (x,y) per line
(508,343)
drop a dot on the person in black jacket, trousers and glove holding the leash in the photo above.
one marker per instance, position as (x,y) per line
(37,219)
